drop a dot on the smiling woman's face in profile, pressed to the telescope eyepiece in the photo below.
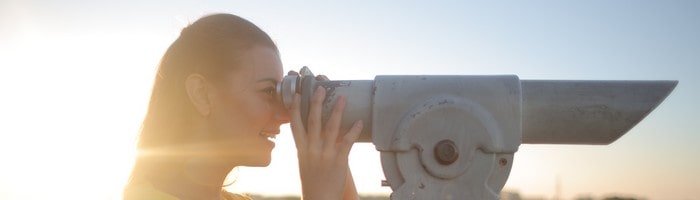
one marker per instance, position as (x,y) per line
(245,111)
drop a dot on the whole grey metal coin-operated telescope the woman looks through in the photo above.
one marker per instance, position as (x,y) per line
(453,137)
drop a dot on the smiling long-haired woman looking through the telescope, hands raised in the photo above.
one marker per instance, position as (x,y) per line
(213,107)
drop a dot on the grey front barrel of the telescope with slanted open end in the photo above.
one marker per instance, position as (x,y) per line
(586,112)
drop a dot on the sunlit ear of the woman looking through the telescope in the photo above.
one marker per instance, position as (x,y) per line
(198,92)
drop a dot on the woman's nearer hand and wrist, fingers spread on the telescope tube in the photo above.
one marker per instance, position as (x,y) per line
(322,151)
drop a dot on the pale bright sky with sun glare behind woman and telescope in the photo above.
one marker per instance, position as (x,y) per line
(76,78)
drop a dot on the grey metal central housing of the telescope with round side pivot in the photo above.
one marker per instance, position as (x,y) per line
(413,115)
